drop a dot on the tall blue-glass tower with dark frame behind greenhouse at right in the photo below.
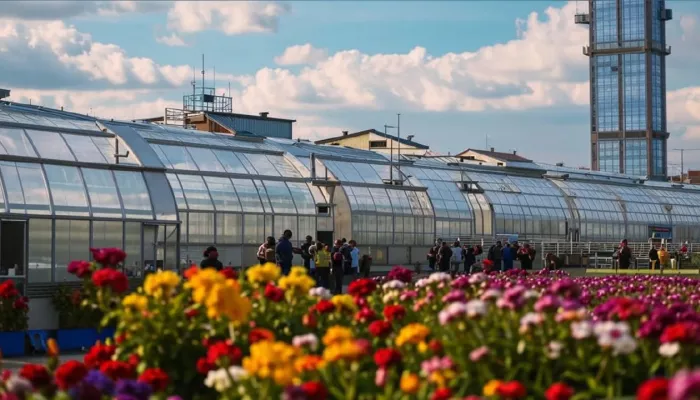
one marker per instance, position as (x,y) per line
(627,50)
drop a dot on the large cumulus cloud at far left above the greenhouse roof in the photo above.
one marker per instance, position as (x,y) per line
(52,54)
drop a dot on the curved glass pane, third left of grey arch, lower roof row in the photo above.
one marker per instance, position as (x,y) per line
(67,190)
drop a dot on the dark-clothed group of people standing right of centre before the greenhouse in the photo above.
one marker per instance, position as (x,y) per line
(444,258)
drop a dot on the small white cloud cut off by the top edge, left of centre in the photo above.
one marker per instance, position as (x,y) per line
(229,17)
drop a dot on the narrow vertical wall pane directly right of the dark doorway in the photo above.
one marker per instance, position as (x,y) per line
(39,250)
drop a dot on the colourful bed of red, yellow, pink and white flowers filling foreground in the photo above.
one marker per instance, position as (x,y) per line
(509,336)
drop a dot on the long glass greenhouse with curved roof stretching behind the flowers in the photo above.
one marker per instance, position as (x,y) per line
(164,193)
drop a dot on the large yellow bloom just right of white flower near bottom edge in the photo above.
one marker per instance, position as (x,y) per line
(273,360)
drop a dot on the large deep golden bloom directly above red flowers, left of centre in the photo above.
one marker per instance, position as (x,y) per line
(225,300)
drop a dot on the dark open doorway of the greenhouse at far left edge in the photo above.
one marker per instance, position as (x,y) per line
(13,245)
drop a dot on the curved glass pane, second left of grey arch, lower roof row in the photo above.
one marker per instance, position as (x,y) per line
(102,190)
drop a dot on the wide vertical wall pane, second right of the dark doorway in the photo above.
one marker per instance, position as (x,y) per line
(72,243)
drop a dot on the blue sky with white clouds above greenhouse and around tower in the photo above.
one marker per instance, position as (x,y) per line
(457,71)
